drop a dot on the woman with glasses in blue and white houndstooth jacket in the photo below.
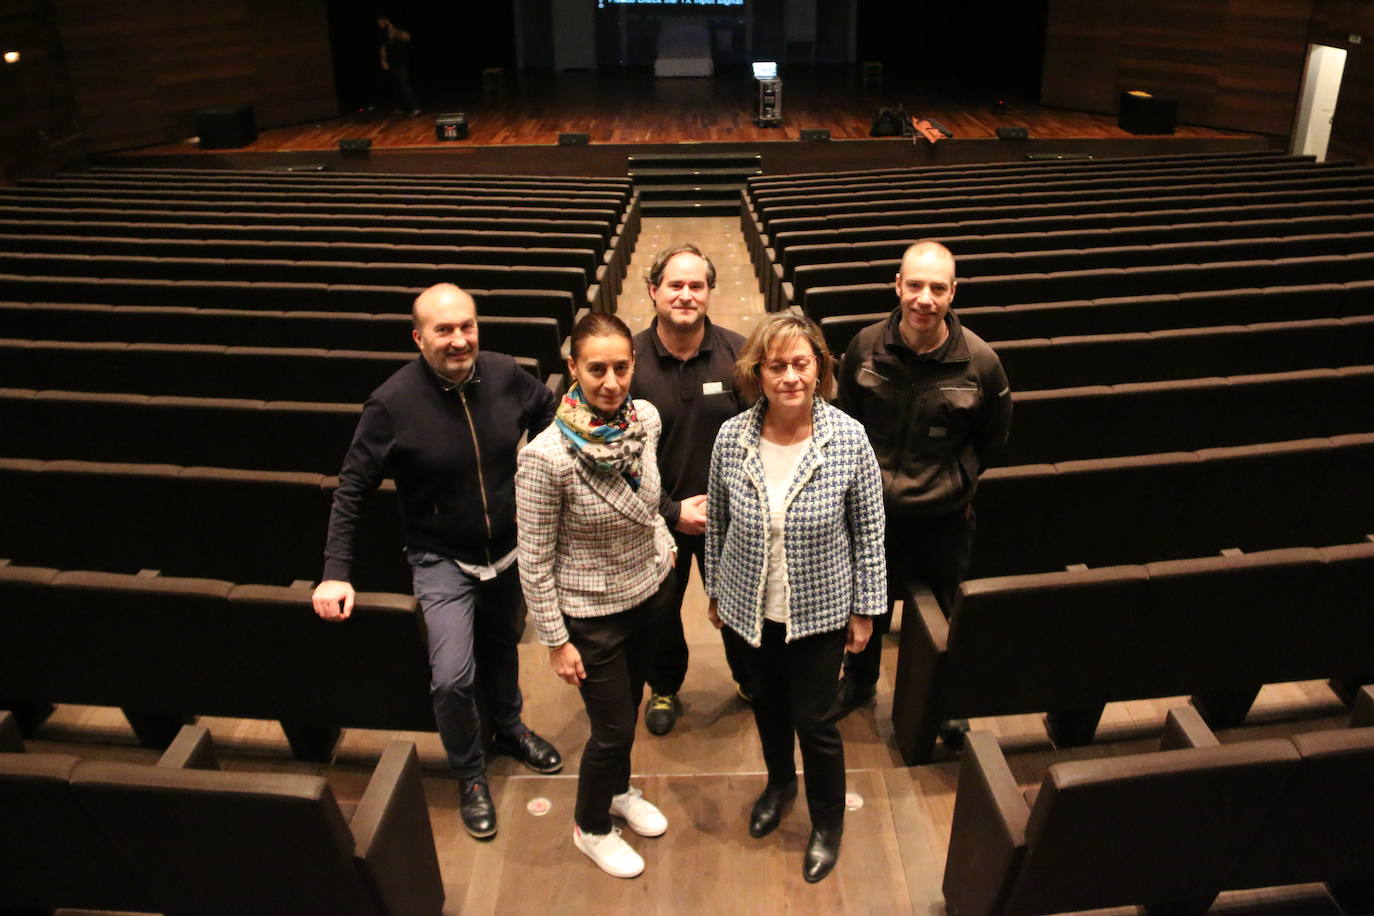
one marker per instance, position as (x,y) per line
(795,565)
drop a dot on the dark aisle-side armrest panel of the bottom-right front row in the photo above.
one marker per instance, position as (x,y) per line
(987,838)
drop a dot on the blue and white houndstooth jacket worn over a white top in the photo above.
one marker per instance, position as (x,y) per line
(833,529)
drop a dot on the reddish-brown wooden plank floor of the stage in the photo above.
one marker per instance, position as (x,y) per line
(635,108)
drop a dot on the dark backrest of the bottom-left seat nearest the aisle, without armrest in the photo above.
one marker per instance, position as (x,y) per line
(227,843)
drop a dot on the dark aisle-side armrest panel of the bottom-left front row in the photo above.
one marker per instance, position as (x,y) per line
(394,838)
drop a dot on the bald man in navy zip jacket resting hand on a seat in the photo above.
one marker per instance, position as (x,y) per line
(447,429)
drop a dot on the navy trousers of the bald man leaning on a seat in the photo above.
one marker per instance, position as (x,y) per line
(473,630)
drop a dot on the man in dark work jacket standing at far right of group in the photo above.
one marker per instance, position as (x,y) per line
(936,404)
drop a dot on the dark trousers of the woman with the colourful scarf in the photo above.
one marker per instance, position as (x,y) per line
(618,652)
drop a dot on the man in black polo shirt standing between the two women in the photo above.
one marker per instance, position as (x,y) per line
(686,367)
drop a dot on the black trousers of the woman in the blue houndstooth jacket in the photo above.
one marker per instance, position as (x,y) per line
(795,691)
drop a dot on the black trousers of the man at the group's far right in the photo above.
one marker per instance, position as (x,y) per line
(932,551)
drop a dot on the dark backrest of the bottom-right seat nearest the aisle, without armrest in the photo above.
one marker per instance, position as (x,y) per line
(1149,829)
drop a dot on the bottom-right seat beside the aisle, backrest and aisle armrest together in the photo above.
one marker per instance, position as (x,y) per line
(1166,829)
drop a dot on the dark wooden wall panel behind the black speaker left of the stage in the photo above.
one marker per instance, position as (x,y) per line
(142,71)
